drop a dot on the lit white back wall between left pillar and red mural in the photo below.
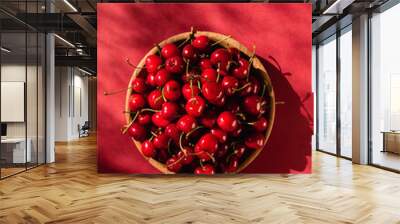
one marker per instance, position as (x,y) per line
(71,102)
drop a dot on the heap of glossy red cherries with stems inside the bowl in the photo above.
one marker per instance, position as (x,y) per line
(198,107)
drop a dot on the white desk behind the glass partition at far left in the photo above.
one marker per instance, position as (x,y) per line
(13,150)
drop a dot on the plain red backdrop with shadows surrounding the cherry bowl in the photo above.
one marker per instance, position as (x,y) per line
(282,35)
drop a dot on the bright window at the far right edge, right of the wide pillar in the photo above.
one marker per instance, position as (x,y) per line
(385,88)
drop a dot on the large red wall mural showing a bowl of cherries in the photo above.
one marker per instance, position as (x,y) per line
(204,88)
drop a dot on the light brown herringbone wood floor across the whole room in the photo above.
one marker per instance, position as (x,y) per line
(71,191)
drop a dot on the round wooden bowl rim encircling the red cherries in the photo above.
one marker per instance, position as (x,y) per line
(226,42)
